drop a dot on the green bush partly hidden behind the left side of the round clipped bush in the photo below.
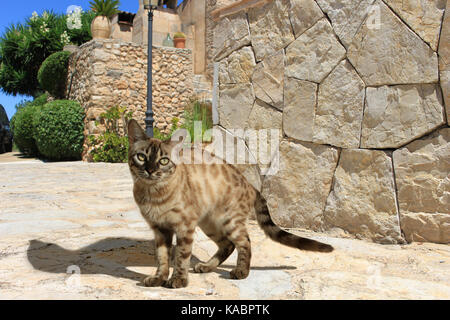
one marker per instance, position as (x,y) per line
(22,128)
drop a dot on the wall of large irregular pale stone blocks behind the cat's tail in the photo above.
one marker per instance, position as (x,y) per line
(356,88)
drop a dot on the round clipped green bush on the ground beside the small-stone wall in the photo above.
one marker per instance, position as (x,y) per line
(58,130)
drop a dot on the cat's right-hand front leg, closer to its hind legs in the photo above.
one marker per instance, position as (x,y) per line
(183,252)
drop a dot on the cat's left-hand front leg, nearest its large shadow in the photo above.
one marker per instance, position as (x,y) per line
(163,243)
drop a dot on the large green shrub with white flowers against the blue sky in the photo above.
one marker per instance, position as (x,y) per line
(24,46)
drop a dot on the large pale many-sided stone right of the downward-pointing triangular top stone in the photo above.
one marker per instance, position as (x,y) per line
(388,52)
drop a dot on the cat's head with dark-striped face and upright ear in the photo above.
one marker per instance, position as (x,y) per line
(149,158)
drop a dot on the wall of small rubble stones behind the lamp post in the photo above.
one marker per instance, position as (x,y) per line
(105,73)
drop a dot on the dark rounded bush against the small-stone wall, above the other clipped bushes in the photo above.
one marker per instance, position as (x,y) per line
(52,74)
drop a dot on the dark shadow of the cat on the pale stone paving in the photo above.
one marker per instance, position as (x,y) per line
(110,256)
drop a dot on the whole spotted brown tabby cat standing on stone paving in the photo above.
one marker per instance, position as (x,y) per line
(176,198)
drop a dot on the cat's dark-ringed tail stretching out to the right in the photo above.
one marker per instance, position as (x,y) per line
(276,234)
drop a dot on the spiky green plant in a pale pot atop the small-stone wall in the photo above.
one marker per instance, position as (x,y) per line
(104,10)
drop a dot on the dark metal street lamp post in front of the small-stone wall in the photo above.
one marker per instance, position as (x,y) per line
(149,5)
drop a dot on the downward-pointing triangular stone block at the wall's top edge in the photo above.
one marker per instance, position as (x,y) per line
(346,16)
